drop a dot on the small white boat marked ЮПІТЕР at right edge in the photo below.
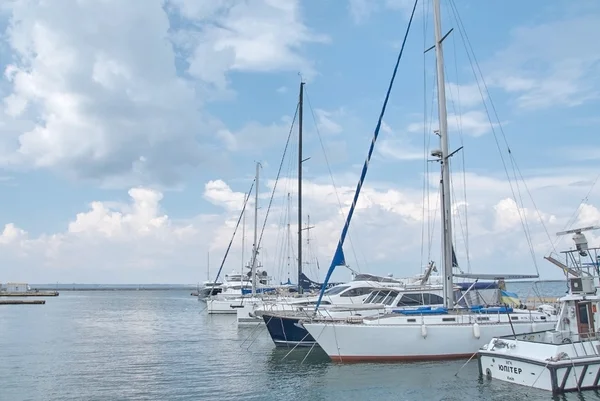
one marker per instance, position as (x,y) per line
(566,358)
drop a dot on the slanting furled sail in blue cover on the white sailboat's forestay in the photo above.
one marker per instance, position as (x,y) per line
(338,257)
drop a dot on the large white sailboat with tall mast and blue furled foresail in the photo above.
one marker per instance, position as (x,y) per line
(448,332)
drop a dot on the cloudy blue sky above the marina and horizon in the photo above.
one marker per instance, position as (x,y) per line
(130,132)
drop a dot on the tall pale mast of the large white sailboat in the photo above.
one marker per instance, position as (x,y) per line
(443,133)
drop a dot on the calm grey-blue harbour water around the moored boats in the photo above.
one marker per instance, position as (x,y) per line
(161,345)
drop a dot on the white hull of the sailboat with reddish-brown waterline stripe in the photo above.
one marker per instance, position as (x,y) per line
(414,338)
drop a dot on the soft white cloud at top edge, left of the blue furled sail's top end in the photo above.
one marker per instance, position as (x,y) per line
(256,35)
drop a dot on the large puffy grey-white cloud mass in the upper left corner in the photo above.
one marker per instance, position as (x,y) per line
(102,89)
